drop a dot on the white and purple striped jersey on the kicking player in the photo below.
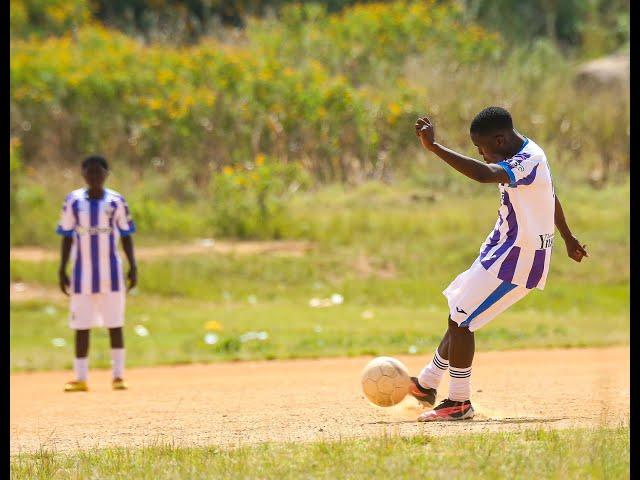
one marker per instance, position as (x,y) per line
(518,250)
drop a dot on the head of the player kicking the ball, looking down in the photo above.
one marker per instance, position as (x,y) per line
(492,132)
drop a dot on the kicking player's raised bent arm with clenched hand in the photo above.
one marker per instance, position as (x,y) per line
(475,170)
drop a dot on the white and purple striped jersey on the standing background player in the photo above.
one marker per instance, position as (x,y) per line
(95,226)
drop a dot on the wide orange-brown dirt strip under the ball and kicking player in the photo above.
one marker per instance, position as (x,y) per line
(305,400)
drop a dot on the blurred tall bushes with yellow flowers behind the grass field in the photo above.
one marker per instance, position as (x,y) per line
(211,102)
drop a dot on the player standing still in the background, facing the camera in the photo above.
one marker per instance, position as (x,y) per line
(92,221)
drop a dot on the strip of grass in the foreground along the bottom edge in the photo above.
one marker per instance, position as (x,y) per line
(576,453)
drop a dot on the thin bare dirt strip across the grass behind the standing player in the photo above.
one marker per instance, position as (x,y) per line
(288,248)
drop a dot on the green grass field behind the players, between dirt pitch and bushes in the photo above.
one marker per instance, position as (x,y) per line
(385,253)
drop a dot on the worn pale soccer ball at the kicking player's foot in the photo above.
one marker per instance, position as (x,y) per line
(385,381)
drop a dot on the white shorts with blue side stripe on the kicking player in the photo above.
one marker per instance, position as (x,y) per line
(476,296)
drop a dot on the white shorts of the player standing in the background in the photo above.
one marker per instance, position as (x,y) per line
(97,310)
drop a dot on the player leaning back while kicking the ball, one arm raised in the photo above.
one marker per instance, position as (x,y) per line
(513,260)
